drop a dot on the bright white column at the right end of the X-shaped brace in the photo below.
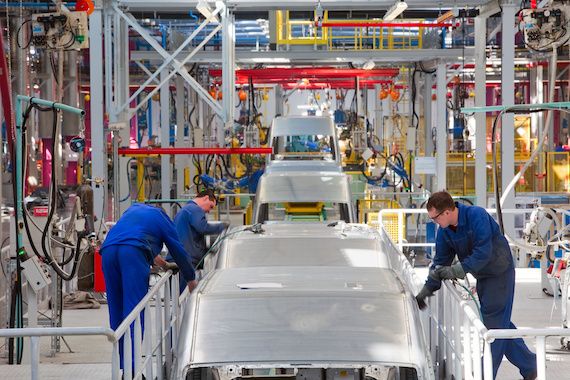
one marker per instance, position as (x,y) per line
(228,72)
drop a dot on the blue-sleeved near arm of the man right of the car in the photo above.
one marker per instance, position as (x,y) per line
(482,241)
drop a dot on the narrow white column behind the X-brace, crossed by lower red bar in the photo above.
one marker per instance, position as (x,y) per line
(165,171)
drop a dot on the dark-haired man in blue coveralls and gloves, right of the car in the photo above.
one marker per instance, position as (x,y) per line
(472,235)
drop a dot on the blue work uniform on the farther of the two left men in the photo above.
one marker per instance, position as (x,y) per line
(192,226)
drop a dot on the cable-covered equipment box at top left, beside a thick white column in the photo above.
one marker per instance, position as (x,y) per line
(68,31)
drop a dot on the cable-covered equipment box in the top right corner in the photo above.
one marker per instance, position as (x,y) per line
(545,26)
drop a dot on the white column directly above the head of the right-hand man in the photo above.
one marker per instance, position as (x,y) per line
(441,128)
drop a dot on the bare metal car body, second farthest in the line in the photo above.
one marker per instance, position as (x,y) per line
(295,187)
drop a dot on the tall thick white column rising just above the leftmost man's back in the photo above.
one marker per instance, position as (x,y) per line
(98,141)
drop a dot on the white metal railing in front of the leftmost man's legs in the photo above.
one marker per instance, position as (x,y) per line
(151,353)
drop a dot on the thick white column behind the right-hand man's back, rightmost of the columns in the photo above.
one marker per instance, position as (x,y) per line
(508,120)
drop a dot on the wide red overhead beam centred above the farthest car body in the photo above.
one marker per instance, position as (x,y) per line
(310,72)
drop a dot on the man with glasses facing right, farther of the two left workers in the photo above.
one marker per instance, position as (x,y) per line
(192,225)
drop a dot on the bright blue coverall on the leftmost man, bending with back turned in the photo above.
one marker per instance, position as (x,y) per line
(127,255)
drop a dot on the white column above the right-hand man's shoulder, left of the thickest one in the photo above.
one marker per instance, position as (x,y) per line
(480,117)
